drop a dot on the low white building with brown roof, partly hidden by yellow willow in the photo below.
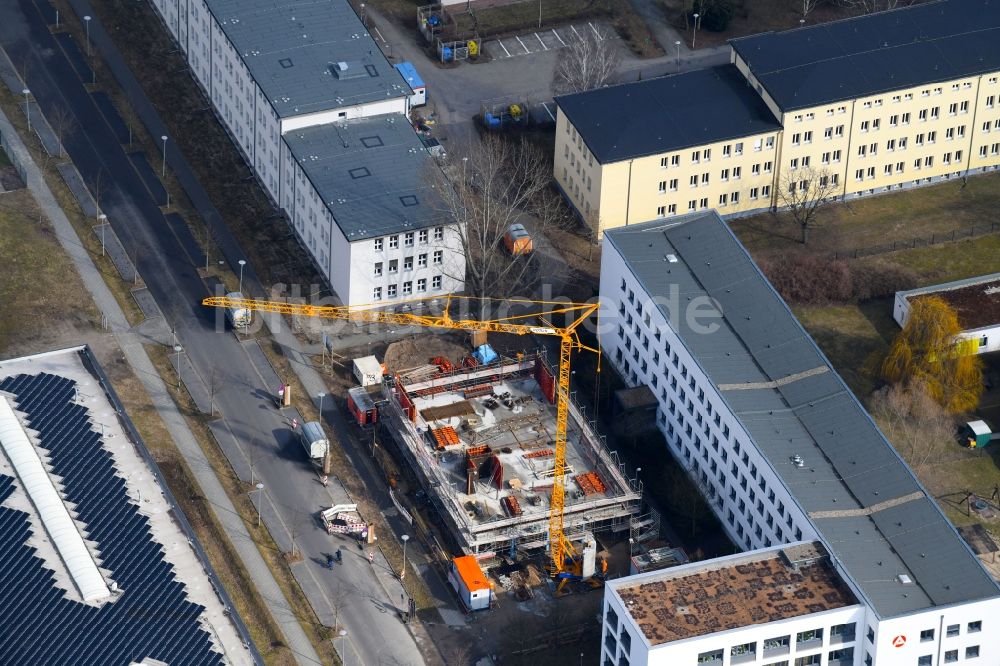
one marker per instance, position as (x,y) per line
(976,301)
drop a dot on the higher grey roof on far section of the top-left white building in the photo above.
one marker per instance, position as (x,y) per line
(292,46)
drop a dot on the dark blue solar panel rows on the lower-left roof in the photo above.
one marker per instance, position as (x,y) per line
(151,618)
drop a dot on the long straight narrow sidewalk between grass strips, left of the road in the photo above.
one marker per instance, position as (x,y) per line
(135,354)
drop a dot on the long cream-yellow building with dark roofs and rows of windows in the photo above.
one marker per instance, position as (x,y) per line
(868,105)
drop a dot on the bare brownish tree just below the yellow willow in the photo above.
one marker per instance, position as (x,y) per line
(913,421)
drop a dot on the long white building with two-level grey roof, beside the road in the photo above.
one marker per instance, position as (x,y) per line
(321,117)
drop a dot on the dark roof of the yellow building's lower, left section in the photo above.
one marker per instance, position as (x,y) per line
(668,113)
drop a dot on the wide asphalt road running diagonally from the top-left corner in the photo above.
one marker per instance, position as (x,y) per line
(374,635)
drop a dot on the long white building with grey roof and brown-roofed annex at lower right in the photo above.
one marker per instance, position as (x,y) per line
(784,455)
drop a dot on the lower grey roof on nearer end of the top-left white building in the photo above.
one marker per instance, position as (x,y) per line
(374,175)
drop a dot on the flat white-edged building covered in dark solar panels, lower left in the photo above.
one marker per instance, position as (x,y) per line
(99,564)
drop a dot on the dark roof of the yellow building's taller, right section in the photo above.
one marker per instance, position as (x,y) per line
(868,55)
